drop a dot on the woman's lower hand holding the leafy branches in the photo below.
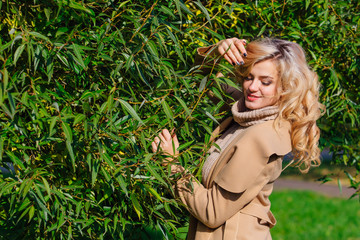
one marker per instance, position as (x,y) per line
(166,141)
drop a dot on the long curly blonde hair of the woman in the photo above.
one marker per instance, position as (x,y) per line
(298,95)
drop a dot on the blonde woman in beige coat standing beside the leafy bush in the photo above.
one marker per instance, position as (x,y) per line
(275,114)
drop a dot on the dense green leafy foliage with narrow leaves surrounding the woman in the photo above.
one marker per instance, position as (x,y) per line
(86,85)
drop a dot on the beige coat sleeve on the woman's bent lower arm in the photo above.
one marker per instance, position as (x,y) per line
(239,182)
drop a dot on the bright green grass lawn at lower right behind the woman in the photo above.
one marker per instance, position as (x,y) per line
(308,215)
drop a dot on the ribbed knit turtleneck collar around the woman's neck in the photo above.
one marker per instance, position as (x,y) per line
(248,118)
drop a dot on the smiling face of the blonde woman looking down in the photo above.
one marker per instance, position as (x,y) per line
(260,87)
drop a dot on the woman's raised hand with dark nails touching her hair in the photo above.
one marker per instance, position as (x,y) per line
(232,49)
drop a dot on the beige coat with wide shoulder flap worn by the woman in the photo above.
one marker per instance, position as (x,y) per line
(233,203)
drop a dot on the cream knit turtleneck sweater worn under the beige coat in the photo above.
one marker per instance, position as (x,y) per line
(243,119)
